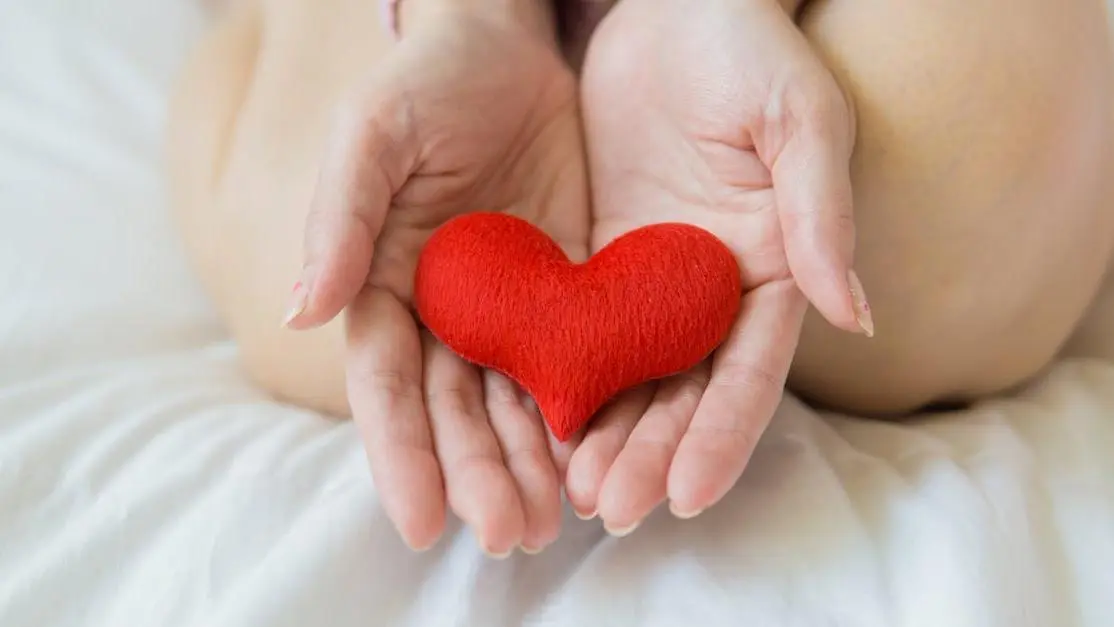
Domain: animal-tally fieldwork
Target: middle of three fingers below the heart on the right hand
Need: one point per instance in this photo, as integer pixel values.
(637, 483)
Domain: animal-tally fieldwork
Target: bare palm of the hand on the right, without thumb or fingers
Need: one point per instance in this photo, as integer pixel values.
(663, 151)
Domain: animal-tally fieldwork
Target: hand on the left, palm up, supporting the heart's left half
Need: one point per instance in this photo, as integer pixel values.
(474, 110)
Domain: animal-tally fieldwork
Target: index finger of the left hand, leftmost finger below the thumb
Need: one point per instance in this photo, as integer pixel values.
(385, 391)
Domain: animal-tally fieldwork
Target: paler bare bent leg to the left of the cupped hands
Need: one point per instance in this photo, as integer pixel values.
(248, 128)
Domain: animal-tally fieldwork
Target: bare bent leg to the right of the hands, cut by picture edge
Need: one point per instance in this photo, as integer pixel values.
(982, 193)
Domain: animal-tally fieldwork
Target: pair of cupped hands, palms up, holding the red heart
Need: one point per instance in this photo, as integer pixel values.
(716, 114)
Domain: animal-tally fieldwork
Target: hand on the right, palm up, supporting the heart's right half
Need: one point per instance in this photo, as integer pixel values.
(717, 114)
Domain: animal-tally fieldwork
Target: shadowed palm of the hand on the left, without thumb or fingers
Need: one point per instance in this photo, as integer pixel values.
(504, 141)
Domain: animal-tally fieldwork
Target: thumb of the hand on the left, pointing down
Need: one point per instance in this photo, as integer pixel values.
(372, 153)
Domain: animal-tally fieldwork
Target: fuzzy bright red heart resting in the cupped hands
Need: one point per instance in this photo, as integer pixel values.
(502, 295)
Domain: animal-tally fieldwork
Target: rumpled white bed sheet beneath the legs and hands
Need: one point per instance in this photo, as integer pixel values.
(144, 483)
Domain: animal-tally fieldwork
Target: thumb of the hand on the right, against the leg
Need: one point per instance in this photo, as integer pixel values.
(813, 184)
